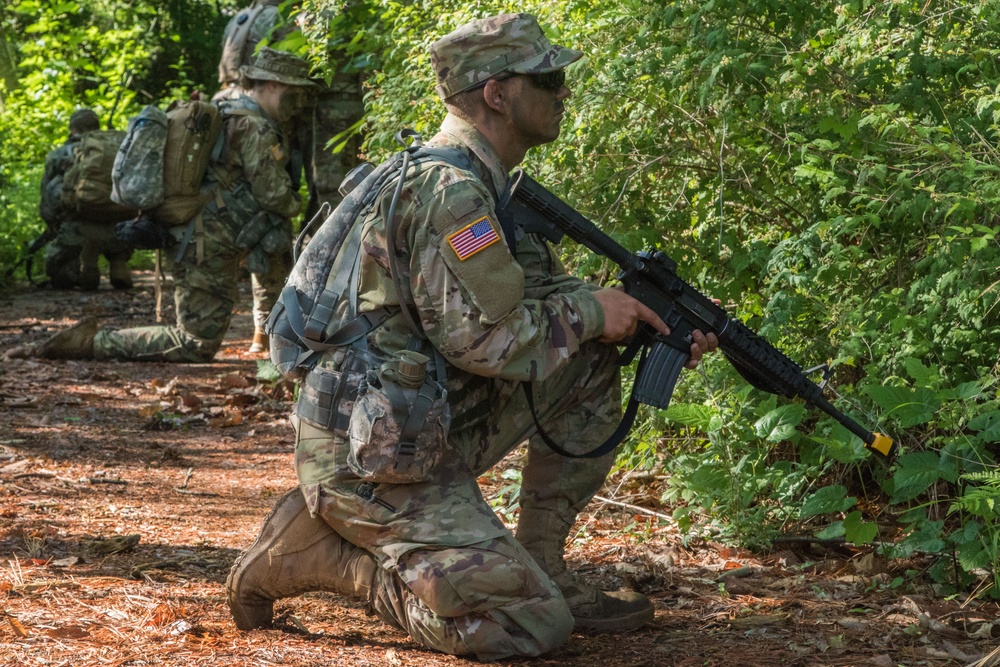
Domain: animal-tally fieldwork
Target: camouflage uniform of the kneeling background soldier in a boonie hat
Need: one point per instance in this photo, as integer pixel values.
(252, 178)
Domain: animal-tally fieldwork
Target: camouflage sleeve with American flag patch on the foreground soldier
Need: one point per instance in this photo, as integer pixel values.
(471, 292)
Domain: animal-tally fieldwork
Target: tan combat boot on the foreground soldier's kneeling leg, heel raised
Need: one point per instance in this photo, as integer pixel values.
(294, 554)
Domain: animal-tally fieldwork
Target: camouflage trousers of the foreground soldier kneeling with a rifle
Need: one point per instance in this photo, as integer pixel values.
(467, 586)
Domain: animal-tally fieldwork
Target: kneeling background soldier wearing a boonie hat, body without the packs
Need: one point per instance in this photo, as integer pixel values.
(248, 218)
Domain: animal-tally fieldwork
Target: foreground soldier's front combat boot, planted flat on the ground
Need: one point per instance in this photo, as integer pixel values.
(543, 534)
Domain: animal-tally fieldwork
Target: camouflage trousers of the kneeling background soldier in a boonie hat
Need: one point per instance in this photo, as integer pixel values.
(204, 297)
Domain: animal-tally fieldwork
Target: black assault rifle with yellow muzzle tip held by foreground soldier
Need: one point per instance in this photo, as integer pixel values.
(651, 277)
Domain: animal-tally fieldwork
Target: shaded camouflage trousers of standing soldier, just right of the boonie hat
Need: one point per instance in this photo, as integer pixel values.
(337, 108)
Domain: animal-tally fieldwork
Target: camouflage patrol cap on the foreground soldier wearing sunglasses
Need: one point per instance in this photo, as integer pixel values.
(486, 47)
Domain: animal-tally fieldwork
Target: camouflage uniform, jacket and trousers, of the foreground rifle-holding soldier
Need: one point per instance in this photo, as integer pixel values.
(453, 576)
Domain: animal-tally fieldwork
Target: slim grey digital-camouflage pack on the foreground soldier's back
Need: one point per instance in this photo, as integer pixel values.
(315, 313)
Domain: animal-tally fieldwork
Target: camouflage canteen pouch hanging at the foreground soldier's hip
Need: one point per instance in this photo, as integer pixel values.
(398, 434)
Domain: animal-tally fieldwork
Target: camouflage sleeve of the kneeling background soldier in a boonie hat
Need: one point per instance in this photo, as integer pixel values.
(264, 156)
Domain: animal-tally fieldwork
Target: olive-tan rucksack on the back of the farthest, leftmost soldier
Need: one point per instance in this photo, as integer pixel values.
(87, 184)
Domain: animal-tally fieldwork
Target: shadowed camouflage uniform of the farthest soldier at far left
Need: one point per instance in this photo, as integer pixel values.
(71, 256)
